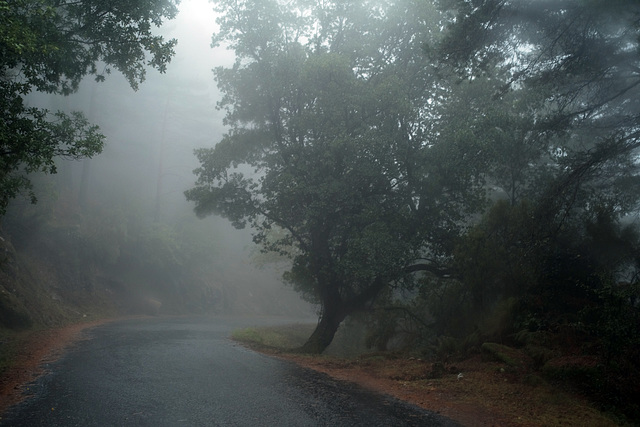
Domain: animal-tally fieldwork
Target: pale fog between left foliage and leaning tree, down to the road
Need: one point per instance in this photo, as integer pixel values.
(139, 179)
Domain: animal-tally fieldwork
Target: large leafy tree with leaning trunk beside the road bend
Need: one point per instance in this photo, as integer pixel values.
(331, 108)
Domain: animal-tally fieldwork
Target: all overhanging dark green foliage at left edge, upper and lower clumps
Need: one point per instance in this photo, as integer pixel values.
(49, 46)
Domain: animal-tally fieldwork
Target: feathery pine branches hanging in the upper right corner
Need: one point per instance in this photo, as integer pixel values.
(569, 71)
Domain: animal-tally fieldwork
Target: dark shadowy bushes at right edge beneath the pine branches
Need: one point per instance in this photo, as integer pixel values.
(512, 277)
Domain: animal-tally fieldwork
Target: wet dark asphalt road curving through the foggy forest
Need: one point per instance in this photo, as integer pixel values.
(186, 372)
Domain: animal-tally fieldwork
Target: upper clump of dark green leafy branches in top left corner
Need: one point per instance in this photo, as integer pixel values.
(54, 45)
